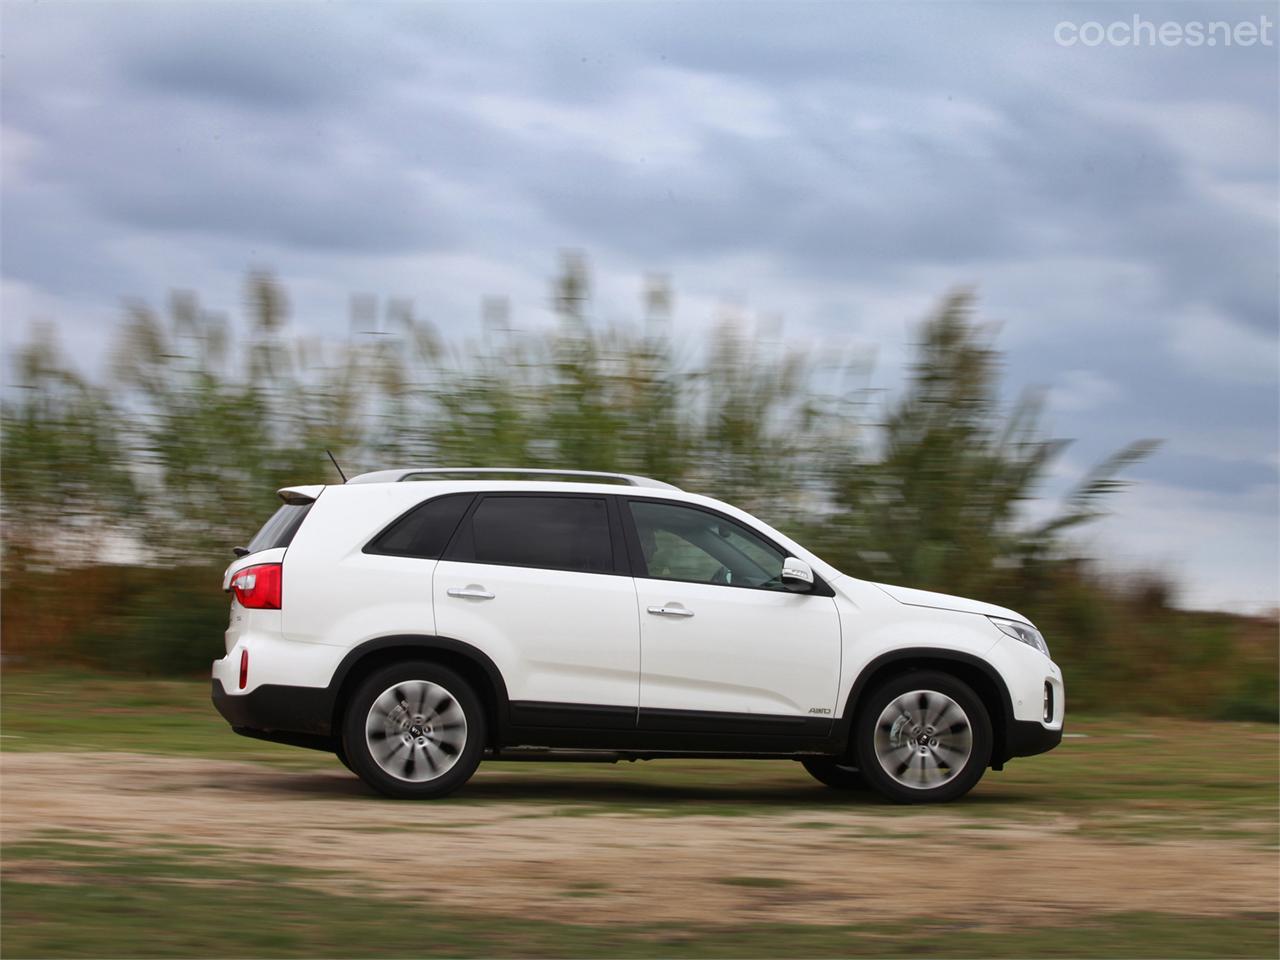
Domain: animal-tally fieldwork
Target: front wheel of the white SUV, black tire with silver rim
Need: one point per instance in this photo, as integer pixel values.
(903, 751)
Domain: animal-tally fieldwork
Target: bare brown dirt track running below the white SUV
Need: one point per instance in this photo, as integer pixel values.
(528, 858)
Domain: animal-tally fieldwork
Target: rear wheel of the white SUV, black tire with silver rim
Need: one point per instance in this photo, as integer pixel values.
(414, 732)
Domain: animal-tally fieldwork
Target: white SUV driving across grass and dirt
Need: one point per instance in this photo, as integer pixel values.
(414, 629)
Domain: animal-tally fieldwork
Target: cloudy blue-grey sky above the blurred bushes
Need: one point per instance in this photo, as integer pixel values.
(839, 166)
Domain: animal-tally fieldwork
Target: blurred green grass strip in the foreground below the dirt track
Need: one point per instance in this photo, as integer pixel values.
(102, 902)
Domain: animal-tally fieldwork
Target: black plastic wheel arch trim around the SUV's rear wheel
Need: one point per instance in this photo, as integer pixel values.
(474, 665)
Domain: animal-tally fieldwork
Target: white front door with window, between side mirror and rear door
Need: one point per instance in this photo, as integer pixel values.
(725, 646)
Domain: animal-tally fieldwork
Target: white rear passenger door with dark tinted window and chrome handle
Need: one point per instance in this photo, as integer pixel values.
(541, 583)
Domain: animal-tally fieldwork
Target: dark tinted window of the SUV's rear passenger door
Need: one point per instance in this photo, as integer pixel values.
(555, 533)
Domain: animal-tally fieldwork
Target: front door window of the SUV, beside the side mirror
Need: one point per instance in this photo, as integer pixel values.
(682, 543)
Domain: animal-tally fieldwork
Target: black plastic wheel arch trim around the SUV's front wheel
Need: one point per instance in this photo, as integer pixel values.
(980, 675)
